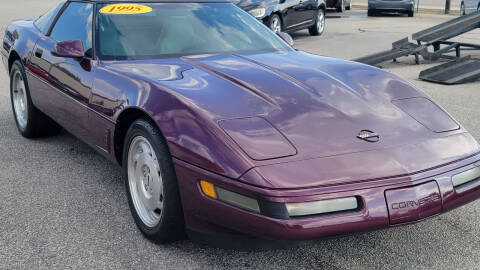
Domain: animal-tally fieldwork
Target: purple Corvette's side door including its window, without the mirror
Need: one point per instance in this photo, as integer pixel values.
(66, 82)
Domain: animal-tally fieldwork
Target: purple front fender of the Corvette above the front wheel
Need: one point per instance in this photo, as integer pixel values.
(191, 133)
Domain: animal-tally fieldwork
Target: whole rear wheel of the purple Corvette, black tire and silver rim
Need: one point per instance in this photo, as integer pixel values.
(31, 122)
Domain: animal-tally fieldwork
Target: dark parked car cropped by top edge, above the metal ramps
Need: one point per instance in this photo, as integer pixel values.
(398, 6)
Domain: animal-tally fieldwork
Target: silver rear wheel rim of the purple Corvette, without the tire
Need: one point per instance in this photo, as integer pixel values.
(20, 103)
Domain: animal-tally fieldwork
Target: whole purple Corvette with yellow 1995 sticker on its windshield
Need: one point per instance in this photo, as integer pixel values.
(220, 127)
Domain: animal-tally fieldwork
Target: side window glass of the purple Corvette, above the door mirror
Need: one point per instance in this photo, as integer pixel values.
(75, 23)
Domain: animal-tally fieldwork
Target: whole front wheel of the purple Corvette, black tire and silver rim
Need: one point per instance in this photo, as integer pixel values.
(156, 207)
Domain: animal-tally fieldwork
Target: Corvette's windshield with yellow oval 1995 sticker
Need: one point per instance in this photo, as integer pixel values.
(161, 30)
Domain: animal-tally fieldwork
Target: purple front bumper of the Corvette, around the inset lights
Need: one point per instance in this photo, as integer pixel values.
(206, 215)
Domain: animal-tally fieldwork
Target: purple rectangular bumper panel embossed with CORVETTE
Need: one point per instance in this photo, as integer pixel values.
(413, 203)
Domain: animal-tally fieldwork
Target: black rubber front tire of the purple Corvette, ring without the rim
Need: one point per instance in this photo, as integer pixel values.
(171, 197)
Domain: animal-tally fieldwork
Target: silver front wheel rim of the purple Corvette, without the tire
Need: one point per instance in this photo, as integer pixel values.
(145, 181)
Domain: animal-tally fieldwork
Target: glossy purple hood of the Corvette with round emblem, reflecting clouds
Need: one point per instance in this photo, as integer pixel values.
(318, 105)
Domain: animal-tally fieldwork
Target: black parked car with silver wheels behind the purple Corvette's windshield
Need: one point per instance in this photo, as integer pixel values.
(288, 15)
